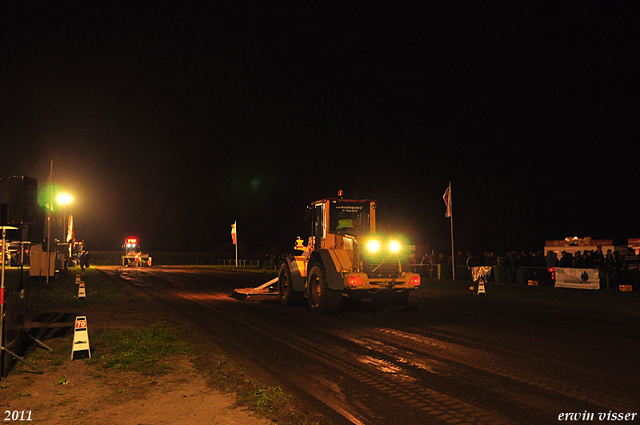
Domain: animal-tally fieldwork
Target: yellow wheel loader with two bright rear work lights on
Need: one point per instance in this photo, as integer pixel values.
(346, 258)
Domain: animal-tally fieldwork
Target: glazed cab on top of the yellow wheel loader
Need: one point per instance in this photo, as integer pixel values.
(334, 219)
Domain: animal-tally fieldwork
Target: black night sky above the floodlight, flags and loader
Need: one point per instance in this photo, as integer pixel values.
(171, 121)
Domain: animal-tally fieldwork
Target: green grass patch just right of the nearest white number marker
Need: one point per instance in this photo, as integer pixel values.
(147, 350)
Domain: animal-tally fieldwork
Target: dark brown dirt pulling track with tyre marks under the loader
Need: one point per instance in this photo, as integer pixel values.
(449, 360)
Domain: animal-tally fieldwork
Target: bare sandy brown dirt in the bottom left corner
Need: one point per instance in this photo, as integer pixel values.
(77, 393)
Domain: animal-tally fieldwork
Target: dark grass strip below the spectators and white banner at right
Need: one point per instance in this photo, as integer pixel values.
(604, 301)
